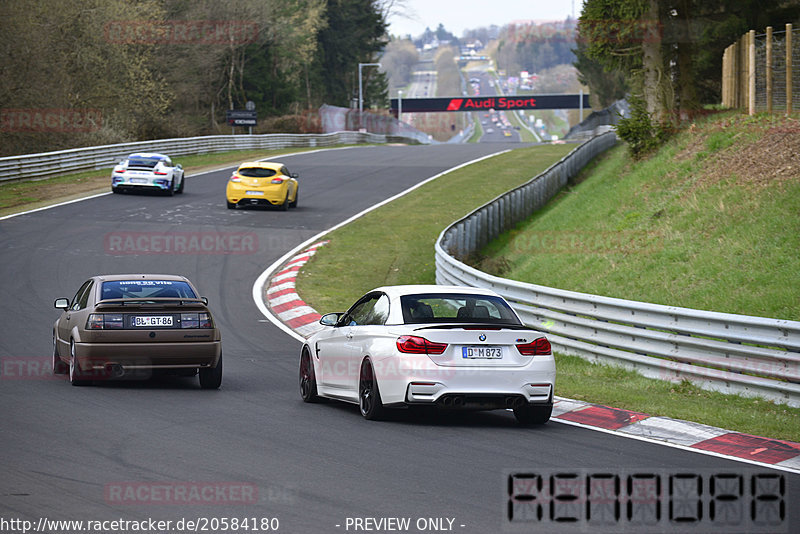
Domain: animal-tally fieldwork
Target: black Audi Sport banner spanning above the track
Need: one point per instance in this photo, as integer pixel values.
(479, 103)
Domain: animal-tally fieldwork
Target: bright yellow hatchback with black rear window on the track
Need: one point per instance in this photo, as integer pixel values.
(262, 183)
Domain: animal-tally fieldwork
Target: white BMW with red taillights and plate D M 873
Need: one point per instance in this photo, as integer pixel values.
(426, 345)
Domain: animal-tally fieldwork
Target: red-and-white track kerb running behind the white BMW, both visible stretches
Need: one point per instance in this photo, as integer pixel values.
(283, 301)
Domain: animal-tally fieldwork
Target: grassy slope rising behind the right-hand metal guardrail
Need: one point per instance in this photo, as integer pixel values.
(712, 221)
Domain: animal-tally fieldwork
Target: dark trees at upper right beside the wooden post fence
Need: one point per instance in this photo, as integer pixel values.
(668, 53)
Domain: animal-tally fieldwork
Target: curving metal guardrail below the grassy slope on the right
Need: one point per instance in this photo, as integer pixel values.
(752, 356)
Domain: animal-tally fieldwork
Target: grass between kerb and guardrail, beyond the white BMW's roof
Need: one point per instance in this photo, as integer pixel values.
(394, 244)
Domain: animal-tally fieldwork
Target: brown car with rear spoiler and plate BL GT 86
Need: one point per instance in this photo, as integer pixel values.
(122, 325)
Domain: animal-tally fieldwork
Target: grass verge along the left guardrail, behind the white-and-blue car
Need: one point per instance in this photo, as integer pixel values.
(17, 196)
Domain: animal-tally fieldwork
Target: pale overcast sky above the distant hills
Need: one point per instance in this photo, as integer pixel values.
(460, 15)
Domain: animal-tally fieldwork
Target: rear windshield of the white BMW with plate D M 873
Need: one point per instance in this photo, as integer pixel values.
(456, 308)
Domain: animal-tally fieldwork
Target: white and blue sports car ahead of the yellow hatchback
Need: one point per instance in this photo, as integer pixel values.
(154, 172)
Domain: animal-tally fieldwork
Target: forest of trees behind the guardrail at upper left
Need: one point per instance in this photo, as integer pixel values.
(170, 68)
